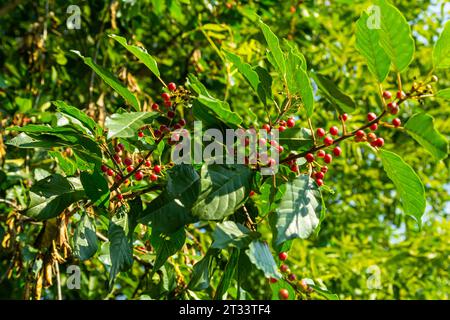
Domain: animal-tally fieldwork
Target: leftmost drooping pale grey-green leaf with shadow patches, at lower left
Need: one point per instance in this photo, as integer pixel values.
(85, 239)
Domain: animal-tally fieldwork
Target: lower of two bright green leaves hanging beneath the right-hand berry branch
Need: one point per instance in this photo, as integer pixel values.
(408, 184)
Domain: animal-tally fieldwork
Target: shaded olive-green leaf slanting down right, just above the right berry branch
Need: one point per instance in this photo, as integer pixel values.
(336, 97)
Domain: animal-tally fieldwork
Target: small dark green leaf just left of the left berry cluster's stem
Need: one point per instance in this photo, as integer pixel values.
(96, 187)
